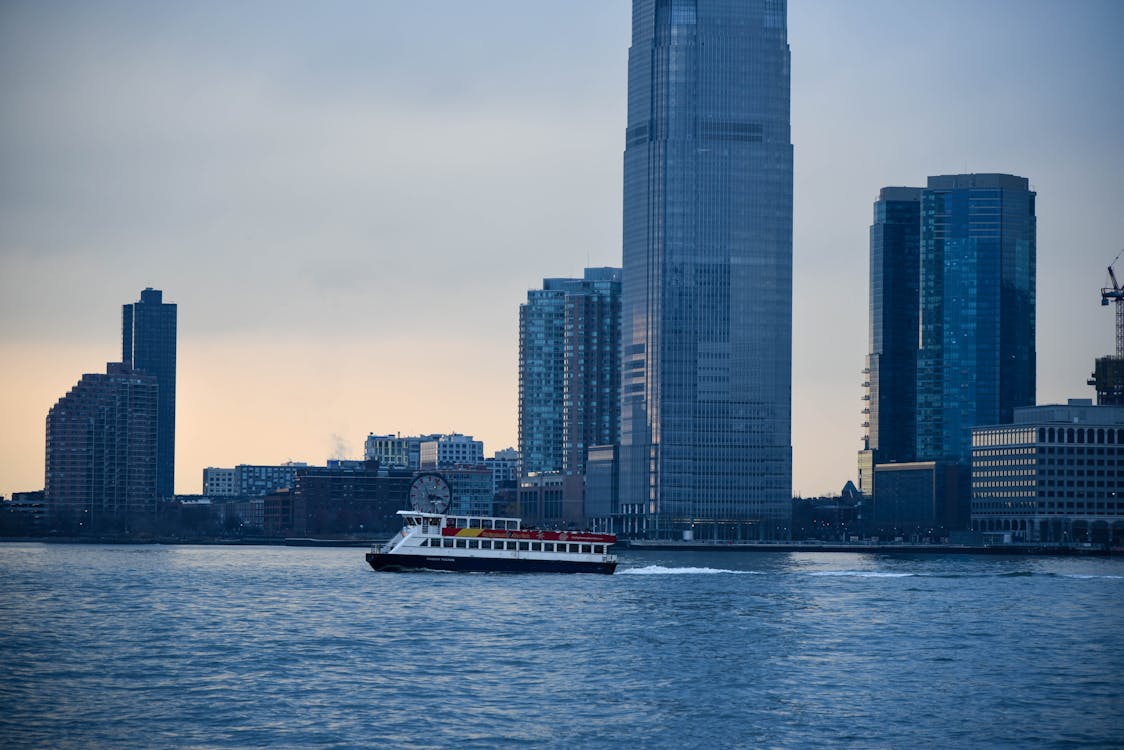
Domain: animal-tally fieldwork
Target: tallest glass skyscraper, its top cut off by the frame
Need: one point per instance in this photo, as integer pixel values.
(708, 293)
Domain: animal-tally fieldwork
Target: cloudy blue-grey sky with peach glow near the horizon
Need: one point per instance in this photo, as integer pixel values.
(349, 200)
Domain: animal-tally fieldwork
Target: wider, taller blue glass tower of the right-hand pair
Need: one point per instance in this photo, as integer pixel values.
(976, 362)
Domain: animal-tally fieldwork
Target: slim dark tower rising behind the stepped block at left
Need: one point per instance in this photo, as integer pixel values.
(149, 345)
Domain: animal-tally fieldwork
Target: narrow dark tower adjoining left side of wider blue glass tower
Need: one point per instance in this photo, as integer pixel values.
(892, 365)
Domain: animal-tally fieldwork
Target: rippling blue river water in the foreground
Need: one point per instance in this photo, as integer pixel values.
(207, 647)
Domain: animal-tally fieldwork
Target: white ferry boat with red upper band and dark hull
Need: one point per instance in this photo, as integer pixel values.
(436, 541)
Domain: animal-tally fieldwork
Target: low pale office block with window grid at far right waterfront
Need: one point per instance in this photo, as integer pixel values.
(1056, 474)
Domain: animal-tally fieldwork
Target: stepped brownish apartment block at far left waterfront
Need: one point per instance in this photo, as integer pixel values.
(102, 451)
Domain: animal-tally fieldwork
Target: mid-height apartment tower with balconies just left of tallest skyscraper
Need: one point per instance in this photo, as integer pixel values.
(569, 371)
